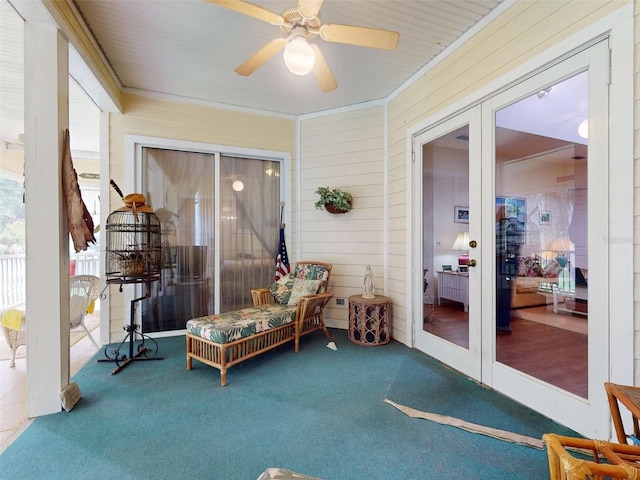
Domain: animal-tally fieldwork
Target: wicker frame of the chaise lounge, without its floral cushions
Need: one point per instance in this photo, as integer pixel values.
(224, 355)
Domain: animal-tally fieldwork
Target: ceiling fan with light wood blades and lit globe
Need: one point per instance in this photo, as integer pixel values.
(302, 24)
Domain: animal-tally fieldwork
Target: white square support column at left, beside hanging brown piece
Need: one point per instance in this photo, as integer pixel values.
(47, 311)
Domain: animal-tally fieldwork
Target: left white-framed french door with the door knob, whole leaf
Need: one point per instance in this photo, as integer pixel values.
(448, 303)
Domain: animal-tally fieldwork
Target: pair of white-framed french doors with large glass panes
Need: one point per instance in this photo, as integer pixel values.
(521, 179)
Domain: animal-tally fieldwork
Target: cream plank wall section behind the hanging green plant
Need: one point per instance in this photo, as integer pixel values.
(344, 150)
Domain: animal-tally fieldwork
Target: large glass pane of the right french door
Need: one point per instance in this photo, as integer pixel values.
(541, 234)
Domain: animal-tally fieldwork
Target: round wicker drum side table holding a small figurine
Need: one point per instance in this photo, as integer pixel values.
(369, 320)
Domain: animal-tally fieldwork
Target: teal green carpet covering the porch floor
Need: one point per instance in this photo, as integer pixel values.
(320, 412)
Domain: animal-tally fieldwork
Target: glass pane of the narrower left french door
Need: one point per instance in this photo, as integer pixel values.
(445, 236)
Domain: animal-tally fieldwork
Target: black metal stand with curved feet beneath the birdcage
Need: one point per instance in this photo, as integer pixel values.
(147, 348)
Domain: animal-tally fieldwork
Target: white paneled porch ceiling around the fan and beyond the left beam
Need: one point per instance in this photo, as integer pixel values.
(187, 50)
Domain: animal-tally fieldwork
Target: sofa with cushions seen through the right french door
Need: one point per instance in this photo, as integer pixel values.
(526, 289)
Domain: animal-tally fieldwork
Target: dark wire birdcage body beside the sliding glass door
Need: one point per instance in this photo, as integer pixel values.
(134, 253)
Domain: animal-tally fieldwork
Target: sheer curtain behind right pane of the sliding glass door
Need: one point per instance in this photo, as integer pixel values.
(249, 228)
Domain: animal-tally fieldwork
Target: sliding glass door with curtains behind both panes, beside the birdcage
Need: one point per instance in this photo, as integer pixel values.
(219, 218)
